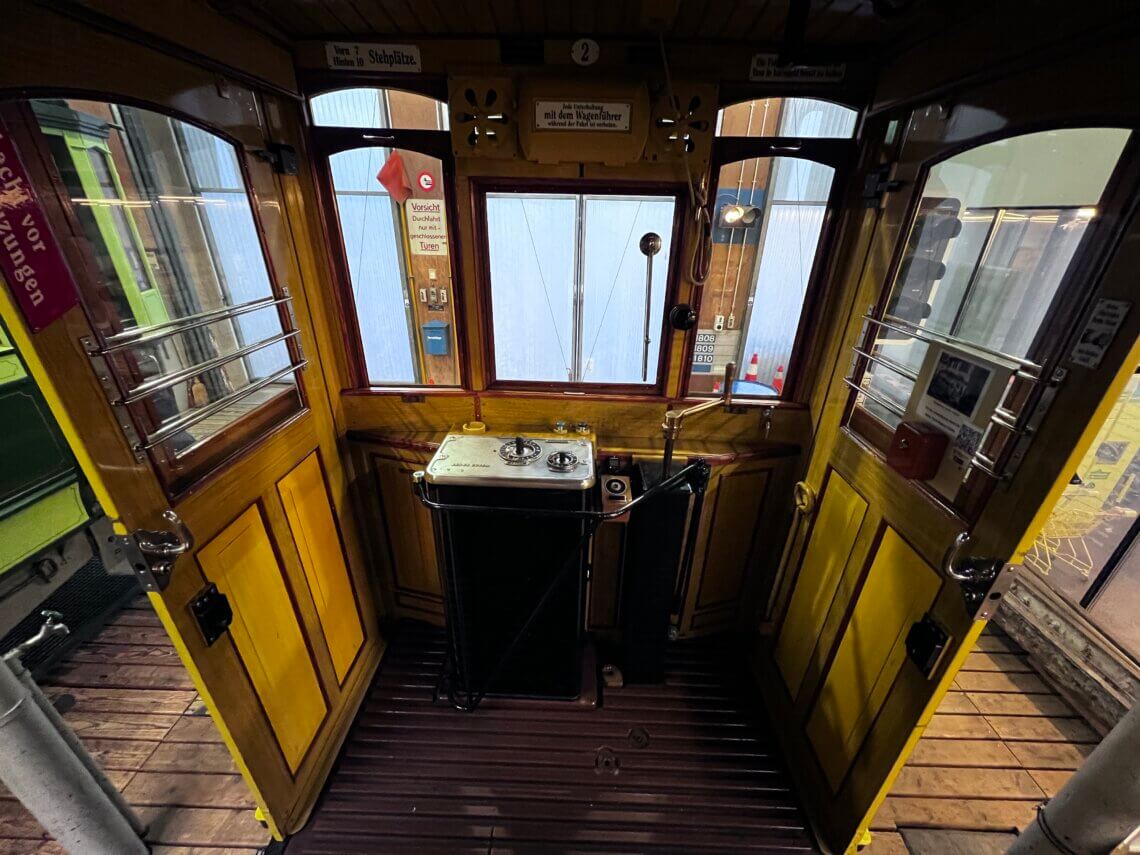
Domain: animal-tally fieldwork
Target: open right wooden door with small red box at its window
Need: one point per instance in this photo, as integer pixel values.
(873, 618)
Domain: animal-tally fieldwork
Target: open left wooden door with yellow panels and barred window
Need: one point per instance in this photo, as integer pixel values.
(222, 418)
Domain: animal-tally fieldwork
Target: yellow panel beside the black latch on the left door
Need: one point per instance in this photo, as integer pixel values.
(241, 561)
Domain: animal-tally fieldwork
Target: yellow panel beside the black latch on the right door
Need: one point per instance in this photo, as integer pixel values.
(900, 589)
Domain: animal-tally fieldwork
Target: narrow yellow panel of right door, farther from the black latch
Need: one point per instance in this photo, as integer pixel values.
(841, 515)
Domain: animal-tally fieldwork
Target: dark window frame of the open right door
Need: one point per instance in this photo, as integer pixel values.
(1052, 341)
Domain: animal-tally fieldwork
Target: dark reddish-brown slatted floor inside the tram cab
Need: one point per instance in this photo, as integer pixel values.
(418, 776)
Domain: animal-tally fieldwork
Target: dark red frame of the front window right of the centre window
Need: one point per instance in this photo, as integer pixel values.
(838, 154)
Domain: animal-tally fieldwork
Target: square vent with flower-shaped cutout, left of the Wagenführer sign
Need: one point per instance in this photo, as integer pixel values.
(484, 118)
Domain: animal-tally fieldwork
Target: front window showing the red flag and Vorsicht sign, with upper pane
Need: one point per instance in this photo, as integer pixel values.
(390, 214)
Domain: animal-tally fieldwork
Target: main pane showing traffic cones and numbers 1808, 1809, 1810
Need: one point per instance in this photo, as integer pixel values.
(768, 219)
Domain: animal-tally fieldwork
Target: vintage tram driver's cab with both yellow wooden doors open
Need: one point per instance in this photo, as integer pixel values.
(609, 426)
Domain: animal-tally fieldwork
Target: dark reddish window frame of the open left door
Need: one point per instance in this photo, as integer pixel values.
(177, 475)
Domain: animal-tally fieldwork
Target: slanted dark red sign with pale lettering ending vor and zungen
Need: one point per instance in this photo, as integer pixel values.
(30, 259)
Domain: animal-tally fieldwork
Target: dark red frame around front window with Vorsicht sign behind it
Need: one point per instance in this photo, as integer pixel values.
(328, 141)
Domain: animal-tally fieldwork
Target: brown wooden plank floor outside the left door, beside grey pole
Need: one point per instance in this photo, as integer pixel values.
(132, 703)
